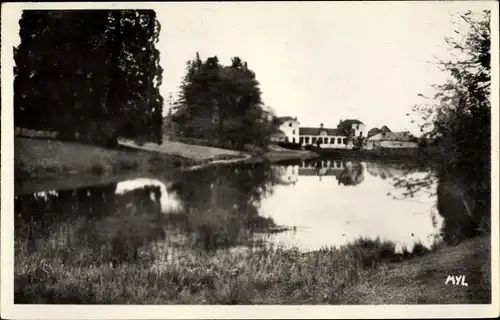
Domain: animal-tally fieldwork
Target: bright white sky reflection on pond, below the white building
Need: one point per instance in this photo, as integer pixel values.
(325, 213)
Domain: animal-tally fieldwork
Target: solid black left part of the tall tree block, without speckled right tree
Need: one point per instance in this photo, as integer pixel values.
(51, 75)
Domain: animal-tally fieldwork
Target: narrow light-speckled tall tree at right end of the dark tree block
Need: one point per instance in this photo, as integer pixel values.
(139, 65)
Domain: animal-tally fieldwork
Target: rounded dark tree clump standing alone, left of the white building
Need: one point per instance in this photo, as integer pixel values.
(223, 104)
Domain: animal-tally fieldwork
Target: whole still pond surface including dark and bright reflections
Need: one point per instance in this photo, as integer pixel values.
(306, 204)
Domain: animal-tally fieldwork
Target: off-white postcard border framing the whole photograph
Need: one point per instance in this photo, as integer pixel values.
(9, 310)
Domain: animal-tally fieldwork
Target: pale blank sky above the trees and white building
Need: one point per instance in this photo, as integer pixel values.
(318, 61)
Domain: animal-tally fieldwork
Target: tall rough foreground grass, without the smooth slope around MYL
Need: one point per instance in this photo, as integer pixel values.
(260, 275)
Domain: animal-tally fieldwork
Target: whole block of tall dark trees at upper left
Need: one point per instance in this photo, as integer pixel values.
(89, 75)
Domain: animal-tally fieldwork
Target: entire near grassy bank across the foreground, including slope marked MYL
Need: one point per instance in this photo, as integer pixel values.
(364, 272)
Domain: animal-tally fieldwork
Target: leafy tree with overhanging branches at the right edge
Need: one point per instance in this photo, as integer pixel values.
(459, 124)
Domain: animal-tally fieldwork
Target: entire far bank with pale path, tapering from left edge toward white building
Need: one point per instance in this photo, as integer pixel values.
(46, 164)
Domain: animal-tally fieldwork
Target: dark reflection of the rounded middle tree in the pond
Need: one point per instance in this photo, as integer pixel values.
(222, 202)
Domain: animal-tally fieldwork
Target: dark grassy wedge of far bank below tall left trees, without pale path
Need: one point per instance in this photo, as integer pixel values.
(43, 163)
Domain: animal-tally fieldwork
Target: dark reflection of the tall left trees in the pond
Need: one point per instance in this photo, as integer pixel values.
(93, 222)
